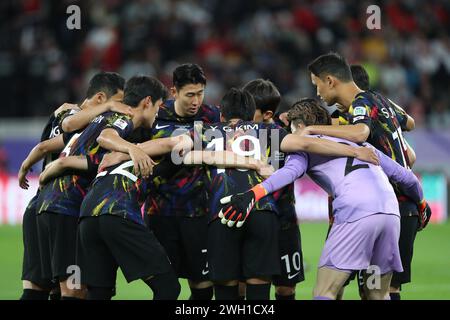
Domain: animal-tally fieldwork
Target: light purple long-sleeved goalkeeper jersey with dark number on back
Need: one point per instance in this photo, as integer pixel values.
(359, 189)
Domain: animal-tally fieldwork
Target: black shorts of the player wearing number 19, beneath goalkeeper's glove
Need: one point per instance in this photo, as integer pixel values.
(251, 251)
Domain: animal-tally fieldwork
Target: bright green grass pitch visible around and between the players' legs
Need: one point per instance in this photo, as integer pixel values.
(431, 266)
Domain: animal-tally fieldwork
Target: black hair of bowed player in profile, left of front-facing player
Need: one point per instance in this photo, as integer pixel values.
(140, 87)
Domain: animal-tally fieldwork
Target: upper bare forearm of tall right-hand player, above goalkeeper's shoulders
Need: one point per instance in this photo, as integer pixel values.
(357, 133)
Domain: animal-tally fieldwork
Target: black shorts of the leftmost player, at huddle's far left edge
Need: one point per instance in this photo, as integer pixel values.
(31, 266)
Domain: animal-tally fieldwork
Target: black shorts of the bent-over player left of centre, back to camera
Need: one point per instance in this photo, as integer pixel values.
(108, 242)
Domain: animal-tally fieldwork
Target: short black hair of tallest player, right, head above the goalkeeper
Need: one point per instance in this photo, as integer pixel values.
(331, 64)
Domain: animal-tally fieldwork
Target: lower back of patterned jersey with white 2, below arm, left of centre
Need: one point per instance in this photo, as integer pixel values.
(117, 191)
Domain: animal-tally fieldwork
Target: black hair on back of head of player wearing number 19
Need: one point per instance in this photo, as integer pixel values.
(238, 104)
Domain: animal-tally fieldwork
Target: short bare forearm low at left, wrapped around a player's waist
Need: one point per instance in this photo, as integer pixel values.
(59, 166)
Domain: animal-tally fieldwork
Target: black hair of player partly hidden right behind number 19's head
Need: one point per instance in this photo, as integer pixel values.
(265, 93)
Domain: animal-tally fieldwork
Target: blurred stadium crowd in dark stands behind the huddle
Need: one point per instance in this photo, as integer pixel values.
(43, 64)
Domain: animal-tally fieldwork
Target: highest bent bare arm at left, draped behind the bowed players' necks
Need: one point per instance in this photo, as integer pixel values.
(81, 119)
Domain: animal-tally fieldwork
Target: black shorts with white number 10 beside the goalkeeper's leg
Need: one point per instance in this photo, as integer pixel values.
(292, 271)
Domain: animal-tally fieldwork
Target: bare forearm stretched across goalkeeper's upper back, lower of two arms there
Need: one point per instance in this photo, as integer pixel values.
(297, 143)
